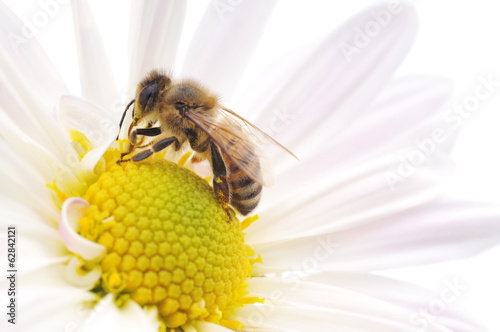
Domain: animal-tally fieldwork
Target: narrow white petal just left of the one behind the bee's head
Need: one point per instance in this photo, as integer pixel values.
(96, 77)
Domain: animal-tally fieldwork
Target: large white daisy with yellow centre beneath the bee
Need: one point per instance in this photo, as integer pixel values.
(107, 247)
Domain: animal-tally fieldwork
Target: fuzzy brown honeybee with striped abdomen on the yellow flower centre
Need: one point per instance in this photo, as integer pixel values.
(184, 112)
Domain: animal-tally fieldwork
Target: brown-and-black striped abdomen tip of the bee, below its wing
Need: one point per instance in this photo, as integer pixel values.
(245, 193)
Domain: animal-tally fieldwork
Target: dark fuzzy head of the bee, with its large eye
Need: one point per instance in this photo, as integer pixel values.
(148, 94)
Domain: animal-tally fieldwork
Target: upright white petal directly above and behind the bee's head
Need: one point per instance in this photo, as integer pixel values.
(155, 30)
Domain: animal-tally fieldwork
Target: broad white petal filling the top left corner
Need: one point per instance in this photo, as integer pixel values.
(30, 81)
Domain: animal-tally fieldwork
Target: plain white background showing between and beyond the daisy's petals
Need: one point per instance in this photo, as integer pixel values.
(457, 39)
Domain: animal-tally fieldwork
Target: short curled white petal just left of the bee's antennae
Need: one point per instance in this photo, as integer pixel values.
(98, 126)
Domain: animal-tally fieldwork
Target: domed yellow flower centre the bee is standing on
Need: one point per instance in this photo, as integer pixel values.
(169, 243)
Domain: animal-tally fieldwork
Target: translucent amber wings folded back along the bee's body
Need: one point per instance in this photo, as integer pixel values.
(241, 142)
